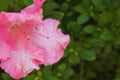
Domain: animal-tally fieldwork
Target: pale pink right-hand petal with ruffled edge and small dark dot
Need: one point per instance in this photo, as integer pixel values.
(52, 40)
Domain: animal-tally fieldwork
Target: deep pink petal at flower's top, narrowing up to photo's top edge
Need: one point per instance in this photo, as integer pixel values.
(34, 11)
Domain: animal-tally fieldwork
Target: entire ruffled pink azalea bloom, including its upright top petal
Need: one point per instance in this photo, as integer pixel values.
(27, 41)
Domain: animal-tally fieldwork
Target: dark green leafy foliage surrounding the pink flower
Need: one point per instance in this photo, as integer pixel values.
(94, 50)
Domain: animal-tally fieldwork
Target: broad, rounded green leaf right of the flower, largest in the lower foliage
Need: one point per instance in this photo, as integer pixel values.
(88, 55)
